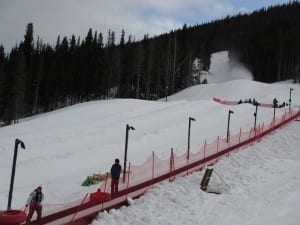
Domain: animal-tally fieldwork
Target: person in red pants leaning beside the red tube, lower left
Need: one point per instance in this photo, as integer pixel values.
(35, 204)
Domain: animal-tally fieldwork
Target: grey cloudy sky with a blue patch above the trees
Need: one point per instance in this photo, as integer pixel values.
(51, 18)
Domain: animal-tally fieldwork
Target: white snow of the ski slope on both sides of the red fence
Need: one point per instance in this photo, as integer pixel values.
(259, 185)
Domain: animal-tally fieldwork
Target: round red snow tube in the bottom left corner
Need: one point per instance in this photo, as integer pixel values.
(12, 217)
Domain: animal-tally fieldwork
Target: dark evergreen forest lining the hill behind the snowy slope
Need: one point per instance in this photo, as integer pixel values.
(36, 77)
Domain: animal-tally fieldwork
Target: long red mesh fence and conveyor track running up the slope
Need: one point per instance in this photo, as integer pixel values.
(140, 178)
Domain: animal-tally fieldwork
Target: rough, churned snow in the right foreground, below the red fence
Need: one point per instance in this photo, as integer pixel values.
(259, 185)
